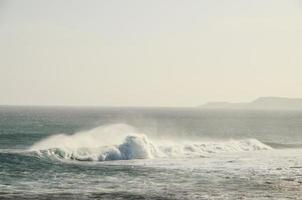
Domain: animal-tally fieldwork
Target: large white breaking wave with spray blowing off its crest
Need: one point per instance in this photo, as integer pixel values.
(122, 142)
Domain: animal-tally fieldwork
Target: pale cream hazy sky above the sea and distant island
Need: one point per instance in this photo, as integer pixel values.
(148, 53)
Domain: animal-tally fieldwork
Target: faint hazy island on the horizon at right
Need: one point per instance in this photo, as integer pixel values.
(262, 103)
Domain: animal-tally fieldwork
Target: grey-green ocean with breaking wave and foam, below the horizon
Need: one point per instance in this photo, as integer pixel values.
(149, 153)
